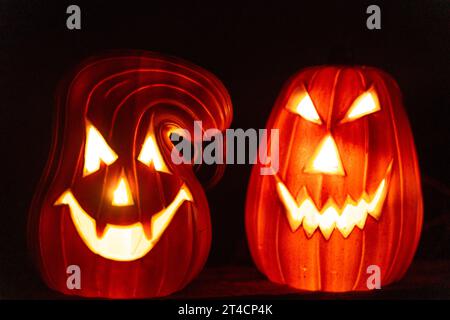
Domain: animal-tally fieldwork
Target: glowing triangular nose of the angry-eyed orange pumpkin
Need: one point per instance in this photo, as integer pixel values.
(326, 159)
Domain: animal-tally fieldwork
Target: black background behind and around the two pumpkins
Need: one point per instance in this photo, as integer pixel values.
(253, 47)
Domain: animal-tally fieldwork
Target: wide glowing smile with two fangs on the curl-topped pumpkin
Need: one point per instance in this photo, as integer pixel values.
(122, 242)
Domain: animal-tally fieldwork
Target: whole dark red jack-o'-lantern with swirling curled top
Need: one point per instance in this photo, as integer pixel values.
(111, 200)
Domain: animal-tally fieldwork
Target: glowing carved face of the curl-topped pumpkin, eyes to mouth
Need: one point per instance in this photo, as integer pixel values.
(101, 199)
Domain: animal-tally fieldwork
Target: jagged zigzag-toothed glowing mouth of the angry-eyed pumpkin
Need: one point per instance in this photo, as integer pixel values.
(352, 213)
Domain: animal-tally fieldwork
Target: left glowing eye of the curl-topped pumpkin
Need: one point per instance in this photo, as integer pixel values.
(96, 150)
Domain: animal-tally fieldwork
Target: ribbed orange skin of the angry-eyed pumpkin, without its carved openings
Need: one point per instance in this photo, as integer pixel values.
(366, 147)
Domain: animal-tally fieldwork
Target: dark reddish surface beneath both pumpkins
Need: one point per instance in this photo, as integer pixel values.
(424, 280)
